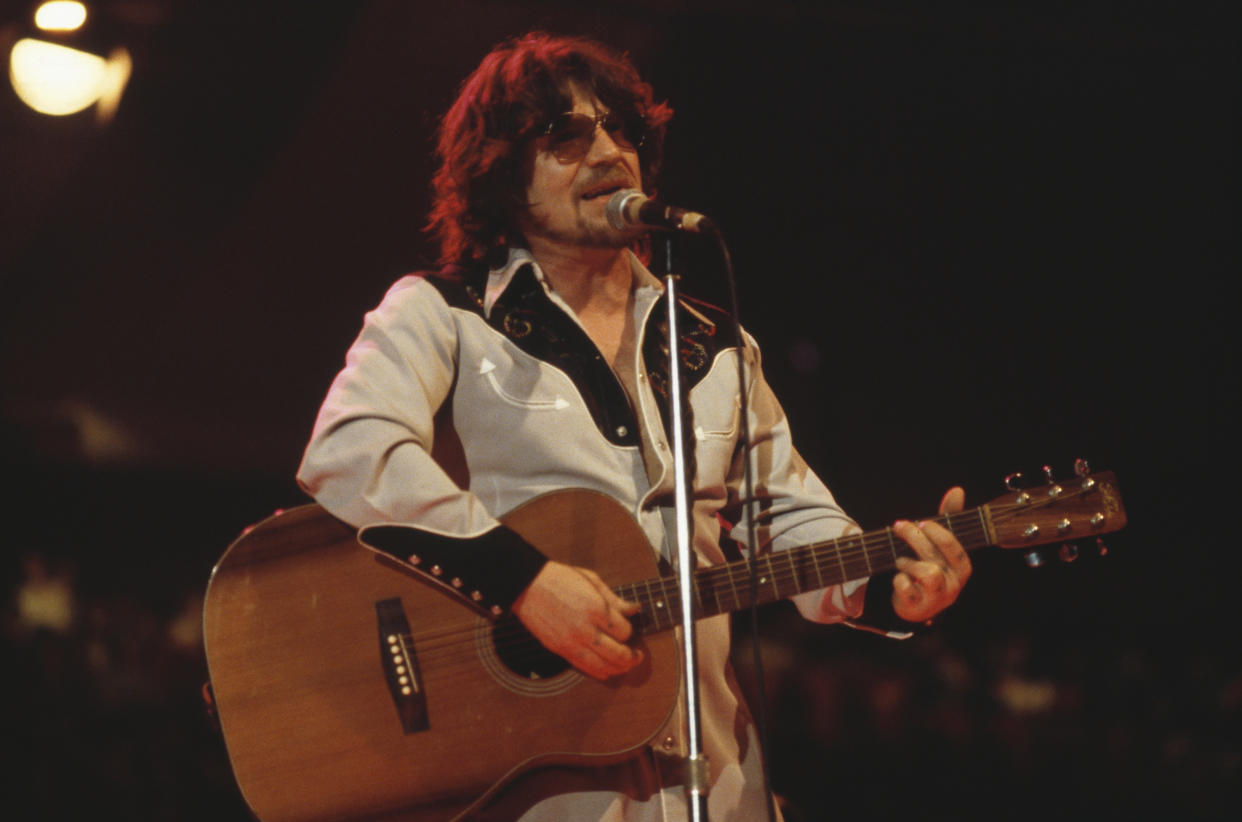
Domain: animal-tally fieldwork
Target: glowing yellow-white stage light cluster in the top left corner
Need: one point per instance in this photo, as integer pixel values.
(55, 76)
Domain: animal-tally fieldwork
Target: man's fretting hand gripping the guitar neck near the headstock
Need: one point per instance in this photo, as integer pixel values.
(927, 585)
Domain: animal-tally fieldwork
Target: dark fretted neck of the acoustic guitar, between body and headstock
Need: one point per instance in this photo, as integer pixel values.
(723, 589)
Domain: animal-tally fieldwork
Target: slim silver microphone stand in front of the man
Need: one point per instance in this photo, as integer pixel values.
(696, 762)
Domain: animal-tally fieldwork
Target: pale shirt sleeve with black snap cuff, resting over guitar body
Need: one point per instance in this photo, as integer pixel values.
(371, 464)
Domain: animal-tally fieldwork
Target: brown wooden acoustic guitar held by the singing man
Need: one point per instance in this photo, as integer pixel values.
(351, 687)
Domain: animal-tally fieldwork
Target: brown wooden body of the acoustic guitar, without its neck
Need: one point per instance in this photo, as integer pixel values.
(314, 725)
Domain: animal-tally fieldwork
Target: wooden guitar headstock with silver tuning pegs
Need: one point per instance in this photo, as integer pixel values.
(1059, 512)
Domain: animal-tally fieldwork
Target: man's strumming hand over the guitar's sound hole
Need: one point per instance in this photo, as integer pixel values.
(576, 615)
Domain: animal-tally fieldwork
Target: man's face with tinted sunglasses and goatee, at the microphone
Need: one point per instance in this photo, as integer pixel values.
(569, 191)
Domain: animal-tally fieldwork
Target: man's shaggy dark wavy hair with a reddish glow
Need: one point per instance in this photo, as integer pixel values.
(480, 188)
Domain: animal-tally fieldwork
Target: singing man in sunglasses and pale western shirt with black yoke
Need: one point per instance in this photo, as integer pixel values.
(536, 361)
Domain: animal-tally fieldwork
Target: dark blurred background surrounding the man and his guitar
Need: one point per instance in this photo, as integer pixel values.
(973, 239)
